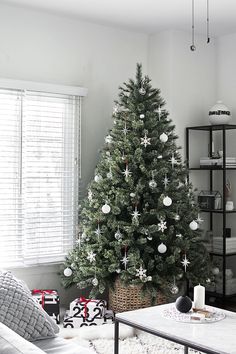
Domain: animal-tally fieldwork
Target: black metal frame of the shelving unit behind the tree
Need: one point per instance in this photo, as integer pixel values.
(210, 129)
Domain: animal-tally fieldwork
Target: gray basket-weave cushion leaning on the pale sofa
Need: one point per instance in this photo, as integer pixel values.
(21, 313)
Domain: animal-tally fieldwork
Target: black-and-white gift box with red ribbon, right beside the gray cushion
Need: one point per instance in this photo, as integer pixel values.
(50, 302)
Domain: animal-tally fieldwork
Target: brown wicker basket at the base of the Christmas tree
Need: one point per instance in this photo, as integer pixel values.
(126, 298)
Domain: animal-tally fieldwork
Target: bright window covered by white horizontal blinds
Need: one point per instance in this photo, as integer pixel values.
(39, 173)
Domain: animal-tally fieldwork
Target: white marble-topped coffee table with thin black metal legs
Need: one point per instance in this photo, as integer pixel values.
(213, 338)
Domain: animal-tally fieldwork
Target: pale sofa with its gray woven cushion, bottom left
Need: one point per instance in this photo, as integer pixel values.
(25, 328)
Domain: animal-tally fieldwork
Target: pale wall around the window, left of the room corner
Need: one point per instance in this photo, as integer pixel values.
(40, 47)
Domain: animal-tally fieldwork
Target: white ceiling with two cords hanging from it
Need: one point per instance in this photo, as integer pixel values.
(147, 16)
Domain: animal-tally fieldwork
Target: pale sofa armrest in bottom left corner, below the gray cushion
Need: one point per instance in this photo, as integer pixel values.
(13, 343)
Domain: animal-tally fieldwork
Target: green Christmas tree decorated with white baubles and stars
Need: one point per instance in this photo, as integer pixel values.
(139, 221)
